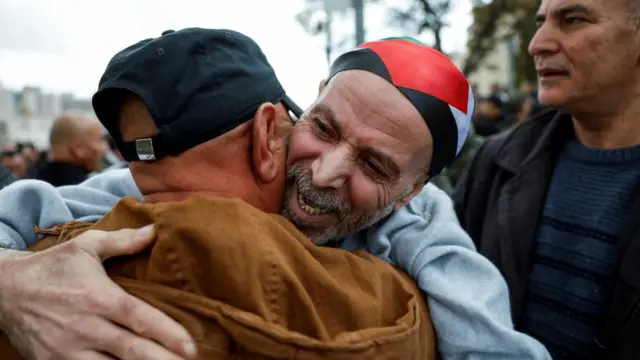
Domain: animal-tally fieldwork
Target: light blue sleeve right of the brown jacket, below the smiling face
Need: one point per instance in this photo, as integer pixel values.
(467, 296)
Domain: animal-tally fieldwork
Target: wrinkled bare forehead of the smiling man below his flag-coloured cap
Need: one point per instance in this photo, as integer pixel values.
(370, 113)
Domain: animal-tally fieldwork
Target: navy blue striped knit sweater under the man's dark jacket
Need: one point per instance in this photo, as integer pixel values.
(574, 254)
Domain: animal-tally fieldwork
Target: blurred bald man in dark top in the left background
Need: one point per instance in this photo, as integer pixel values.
(77, 146)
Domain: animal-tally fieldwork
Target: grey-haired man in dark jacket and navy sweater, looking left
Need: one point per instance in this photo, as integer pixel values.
(555, 202)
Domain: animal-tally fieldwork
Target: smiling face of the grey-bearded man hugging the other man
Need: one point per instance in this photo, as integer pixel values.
(359, 152)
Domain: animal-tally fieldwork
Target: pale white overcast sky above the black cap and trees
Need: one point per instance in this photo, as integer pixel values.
(64, 45)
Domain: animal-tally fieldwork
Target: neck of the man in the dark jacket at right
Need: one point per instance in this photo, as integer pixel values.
(617, 129)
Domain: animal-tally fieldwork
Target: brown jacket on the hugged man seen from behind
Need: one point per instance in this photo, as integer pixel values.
(249, 285)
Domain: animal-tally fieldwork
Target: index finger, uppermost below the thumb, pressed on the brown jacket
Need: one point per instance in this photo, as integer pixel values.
(150, 323)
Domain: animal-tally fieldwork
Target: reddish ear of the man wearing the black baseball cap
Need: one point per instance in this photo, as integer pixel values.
(265, 159)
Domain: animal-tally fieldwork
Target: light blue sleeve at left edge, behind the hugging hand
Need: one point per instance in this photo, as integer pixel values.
(26, 203)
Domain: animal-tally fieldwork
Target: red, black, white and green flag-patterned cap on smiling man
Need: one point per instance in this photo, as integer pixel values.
(429, 79)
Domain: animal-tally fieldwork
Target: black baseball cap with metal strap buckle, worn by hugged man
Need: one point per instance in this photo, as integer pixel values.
(196, 83)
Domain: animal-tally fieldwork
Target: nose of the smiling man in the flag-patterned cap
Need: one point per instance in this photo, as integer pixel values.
(333, 168)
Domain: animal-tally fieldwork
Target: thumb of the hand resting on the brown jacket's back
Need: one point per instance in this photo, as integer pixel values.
(108, 244)
